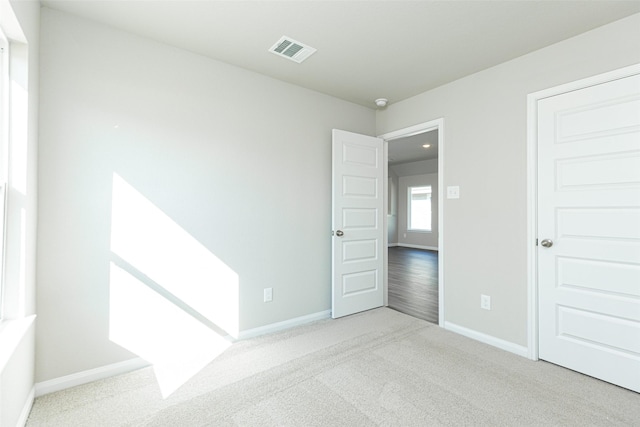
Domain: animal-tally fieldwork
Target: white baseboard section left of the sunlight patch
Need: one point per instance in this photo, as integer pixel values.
(88, 376)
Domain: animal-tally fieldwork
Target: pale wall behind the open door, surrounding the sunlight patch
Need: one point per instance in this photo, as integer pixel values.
(238, 161)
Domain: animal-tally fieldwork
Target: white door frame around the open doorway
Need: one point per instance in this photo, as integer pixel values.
(437, 124)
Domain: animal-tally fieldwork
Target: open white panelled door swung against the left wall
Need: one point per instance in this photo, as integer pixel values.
(358, 223)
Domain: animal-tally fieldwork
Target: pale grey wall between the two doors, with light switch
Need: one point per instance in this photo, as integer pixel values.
(485, 154)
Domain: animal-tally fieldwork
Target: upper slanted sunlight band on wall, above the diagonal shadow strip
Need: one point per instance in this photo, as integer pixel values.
(151, 242)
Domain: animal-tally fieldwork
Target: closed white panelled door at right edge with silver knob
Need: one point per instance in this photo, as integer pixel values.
(589, 230)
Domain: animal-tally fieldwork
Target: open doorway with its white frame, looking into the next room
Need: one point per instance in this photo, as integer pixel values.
(402, 233)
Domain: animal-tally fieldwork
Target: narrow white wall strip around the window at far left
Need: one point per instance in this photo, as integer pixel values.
(20, 20)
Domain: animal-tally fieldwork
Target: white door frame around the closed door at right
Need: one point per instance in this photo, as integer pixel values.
(532, 188)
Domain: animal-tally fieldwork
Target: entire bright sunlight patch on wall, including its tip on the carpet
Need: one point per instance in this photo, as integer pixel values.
(172, 302)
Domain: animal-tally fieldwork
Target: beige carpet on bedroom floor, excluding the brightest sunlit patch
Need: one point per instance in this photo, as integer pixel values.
(375, 368)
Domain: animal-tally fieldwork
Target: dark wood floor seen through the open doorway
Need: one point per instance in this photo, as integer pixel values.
(413, 282)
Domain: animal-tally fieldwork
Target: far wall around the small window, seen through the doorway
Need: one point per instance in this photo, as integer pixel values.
(406, 237)
